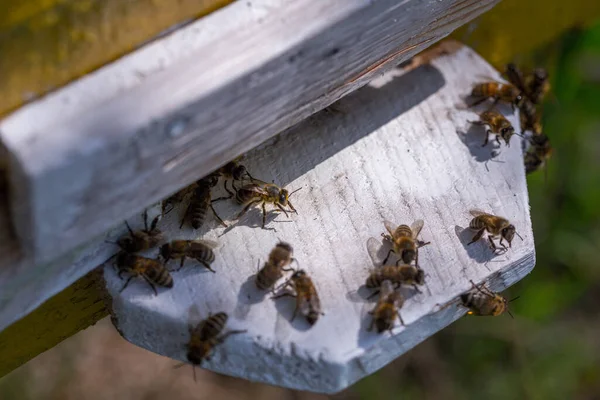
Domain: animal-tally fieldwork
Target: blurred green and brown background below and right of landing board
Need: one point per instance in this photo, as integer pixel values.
(551, 350)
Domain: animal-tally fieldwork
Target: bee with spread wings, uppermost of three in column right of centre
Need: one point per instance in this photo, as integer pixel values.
(404, 241)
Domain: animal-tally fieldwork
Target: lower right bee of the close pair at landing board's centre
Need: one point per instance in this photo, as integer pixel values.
(307, 299)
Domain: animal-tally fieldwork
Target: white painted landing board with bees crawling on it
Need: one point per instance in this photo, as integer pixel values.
(398, 149)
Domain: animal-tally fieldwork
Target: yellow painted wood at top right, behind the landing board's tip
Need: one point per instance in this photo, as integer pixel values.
(516, 27)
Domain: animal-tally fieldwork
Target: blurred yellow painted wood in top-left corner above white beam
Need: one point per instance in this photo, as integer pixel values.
(47, 43)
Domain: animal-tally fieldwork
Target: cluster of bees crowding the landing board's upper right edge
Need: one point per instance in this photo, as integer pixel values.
(526, 92)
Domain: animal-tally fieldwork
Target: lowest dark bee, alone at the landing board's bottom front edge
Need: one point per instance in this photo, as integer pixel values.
(205, 336)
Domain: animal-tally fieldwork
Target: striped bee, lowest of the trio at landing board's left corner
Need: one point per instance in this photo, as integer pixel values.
(153, 271)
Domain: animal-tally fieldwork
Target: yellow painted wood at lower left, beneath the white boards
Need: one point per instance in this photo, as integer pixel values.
(74, 309)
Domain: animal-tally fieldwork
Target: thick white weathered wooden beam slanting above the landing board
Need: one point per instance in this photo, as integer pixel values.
(79, 165)
